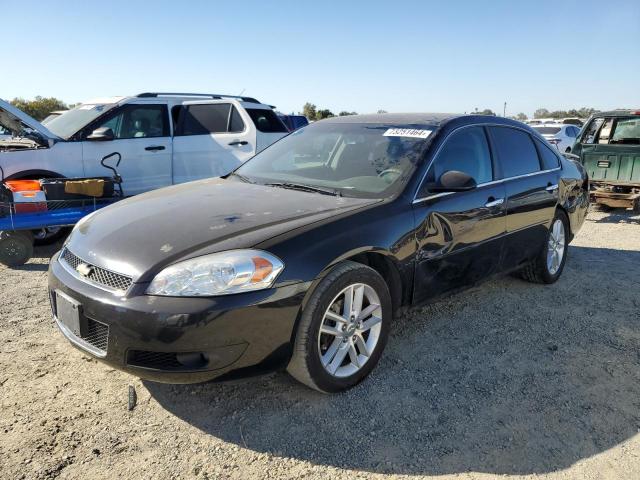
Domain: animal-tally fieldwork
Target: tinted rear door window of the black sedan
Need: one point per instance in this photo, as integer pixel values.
(515, 150)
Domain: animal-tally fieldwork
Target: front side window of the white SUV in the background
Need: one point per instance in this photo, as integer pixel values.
(139, 121)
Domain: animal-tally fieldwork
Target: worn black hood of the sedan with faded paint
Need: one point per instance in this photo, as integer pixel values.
(140, 235)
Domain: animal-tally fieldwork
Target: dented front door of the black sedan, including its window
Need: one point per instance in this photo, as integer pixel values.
(459, 234)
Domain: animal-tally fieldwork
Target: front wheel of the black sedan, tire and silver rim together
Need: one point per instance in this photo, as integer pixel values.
(343, 329)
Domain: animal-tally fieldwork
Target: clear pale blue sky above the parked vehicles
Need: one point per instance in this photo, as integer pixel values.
(363, 56)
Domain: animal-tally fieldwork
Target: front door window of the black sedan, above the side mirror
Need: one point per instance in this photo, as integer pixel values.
(467, 151)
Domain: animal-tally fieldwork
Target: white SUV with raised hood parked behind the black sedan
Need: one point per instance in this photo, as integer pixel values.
(164, 138)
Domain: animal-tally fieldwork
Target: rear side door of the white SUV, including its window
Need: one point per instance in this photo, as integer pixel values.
(211, 139)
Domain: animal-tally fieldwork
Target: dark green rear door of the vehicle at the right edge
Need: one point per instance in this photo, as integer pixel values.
(611, 150)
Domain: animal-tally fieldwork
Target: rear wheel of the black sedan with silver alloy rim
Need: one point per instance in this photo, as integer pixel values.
(548, 265)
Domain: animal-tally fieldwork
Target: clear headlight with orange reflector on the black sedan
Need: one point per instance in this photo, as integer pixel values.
(234, 271)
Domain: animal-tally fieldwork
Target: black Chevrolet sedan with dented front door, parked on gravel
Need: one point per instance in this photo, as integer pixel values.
(304, 255)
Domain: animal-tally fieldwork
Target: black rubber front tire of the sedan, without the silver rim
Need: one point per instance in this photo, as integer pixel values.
(305, 365)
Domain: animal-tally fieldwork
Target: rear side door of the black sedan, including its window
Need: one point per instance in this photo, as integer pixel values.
(531, 185)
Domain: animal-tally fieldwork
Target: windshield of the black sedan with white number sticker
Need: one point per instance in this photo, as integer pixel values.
(360, 160)
